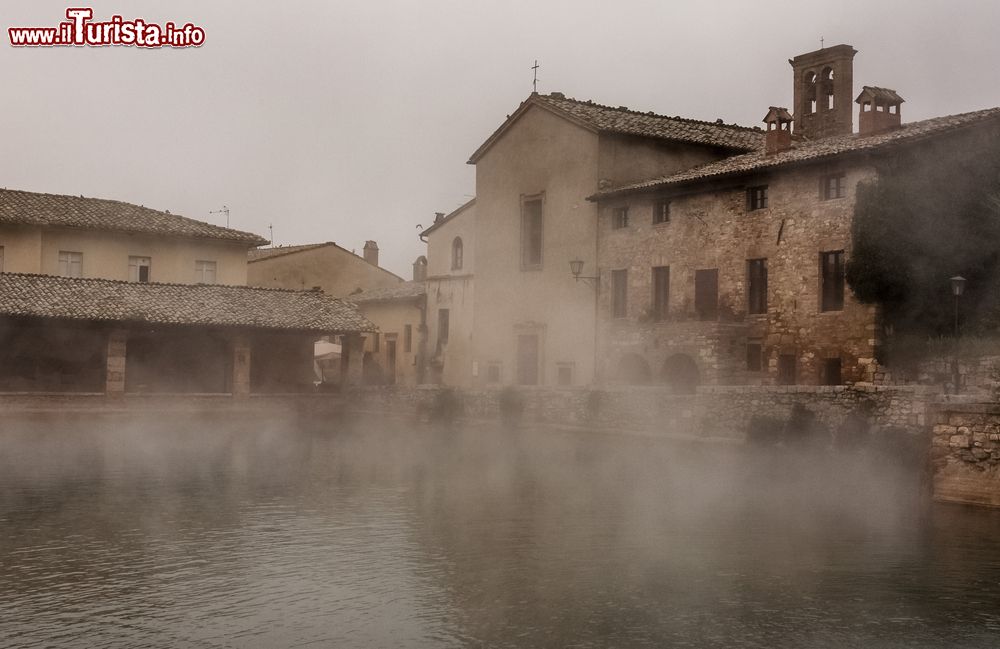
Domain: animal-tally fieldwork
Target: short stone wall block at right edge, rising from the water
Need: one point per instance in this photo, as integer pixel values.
(965, 454)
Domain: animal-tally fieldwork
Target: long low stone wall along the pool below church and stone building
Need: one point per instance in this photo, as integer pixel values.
(719, 412)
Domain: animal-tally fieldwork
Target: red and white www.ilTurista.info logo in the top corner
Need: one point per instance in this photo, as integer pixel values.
(79, 30)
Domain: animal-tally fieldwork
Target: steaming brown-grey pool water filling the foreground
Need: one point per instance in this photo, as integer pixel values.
(195, 536)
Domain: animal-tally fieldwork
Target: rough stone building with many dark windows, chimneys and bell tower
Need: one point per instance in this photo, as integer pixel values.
(732, 271)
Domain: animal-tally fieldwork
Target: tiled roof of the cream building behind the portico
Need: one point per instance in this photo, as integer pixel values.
(101, 214)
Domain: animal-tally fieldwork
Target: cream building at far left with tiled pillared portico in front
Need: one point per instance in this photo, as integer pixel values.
(101, 296)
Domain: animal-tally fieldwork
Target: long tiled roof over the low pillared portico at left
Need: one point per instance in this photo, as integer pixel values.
(46, 296)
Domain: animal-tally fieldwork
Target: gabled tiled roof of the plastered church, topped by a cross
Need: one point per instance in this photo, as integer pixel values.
(607, 119)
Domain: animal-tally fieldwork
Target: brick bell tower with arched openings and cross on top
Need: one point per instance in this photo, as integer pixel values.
(823, 92)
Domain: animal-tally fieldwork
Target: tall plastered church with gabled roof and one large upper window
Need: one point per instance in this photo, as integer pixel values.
(531, 323)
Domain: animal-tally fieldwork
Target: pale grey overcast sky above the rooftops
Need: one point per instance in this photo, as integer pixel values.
(347, 121)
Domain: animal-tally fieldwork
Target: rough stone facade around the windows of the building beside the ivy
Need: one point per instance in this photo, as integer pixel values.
(715, 229)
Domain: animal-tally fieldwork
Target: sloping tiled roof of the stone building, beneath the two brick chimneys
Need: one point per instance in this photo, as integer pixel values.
(805, 151)
